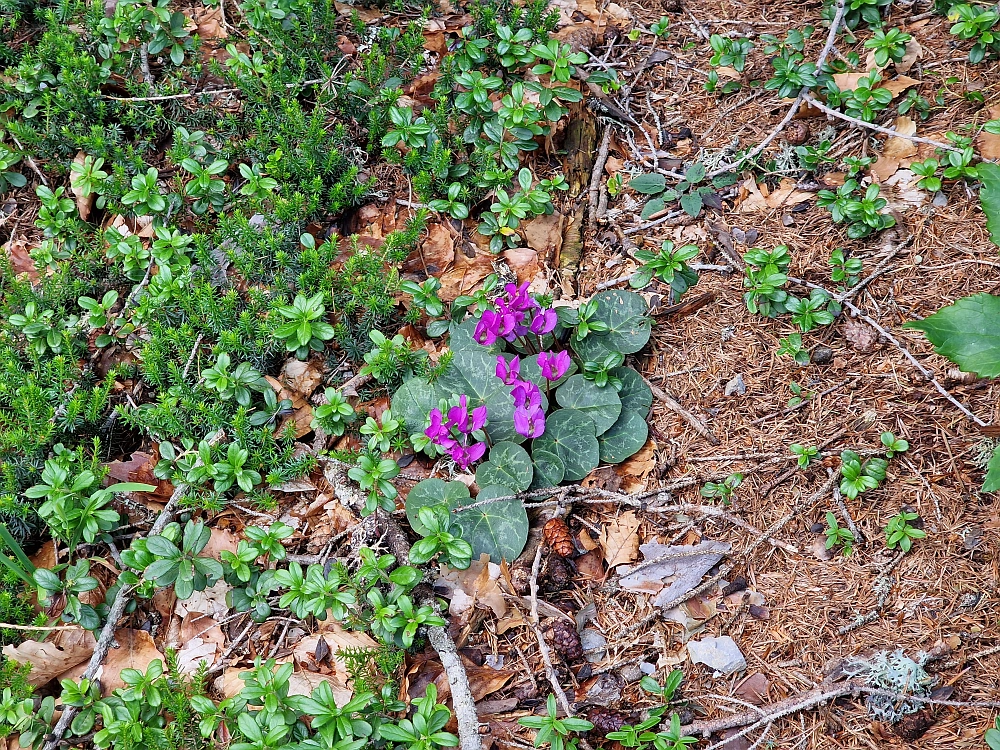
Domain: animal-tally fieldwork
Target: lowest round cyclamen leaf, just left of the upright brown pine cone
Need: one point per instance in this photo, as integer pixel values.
(498, 529)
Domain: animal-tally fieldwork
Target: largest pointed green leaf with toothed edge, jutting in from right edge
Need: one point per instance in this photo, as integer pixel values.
(967, 333)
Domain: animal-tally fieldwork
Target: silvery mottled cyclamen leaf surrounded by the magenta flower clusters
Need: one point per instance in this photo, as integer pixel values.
(473, 372)
